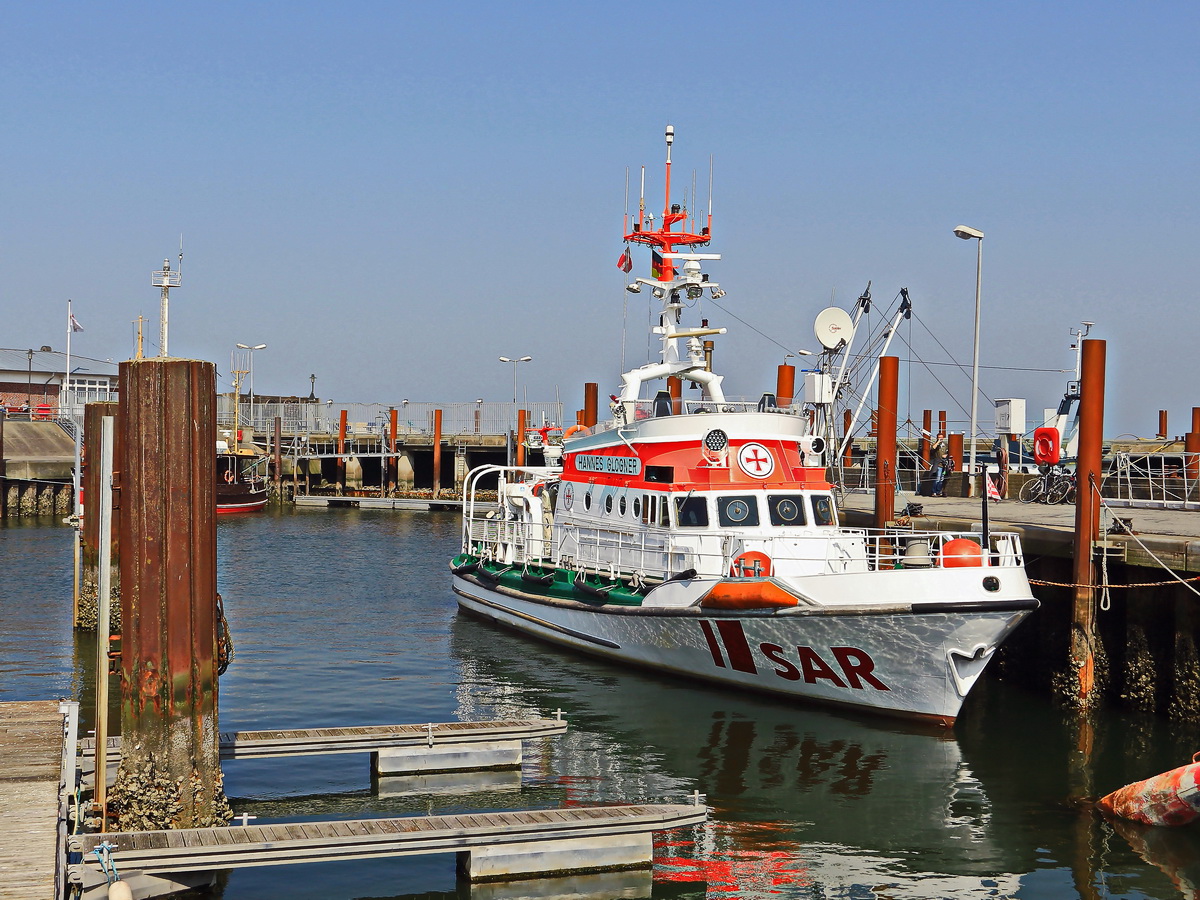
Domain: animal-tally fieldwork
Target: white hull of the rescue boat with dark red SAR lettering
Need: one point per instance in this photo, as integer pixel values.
(887, 658)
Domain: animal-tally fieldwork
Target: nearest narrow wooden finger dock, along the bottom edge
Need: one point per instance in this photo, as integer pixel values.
(490, 845)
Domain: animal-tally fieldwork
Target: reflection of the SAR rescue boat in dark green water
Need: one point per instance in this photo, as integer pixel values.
(801, 797)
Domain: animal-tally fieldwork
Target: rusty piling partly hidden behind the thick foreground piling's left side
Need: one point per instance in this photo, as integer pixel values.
(93, 418)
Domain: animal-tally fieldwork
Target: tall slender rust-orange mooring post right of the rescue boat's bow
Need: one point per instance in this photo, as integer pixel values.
(1088, 518)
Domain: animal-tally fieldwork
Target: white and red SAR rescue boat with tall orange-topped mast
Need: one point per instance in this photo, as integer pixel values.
(701, 537)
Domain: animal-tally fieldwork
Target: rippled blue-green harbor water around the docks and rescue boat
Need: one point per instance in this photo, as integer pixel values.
(346, 617)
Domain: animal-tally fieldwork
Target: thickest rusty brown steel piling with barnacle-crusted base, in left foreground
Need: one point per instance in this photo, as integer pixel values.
(171, 771)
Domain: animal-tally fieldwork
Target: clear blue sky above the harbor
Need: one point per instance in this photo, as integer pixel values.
(392, 195)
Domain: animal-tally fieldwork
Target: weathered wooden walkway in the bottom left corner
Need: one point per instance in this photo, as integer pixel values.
(34, 754)
